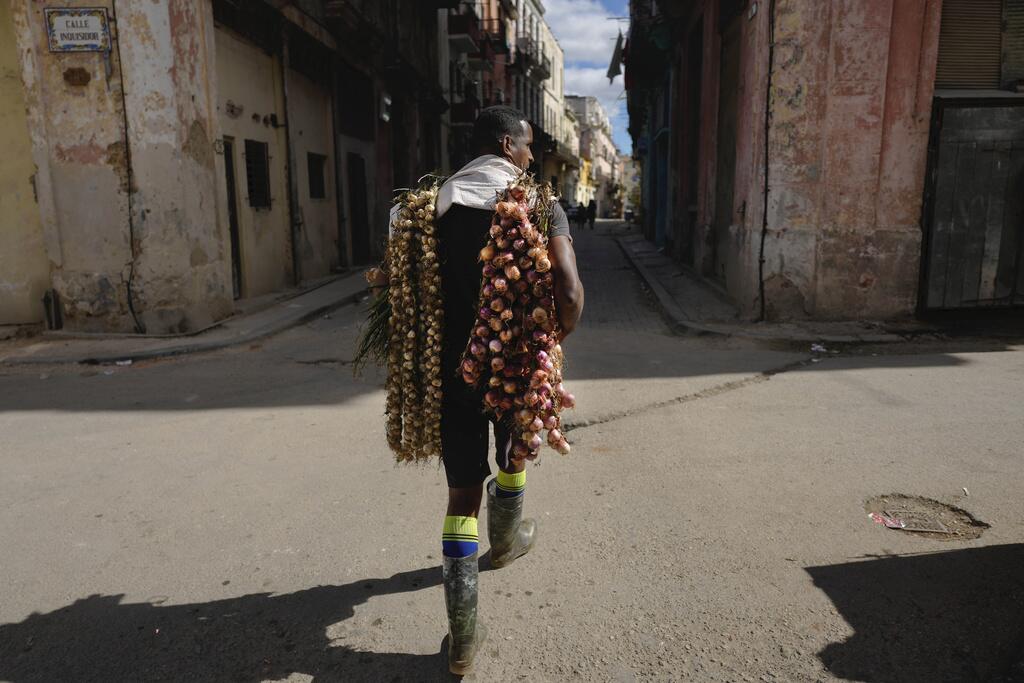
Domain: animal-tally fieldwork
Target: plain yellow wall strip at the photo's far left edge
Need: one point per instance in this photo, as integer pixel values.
(25, 271)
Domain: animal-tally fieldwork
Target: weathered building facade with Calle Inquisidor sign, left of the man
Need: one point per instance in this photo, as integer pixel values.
(202, 151)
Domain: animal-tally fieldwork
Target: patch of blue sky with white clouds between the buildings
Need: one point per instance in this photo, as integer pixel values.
(588, 38)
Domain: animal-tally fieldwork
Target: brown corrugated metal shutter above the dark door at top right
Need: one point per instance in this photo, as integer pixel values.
(970, 45)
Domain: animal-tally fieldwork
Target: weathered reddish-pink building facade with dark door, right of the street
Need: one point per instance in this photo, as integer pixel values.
(834, 115)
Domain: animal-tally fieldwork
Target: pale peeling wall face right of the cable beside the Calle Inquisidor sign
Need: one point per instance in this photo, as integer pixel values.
(183, 269)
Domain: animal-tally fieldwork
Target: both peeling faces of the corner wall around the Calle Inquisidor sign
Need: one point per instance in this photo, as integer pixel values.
(100, 182)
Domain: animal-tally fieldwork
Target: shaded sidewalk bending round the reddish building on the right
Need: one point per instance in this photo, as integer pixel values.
(695, 307)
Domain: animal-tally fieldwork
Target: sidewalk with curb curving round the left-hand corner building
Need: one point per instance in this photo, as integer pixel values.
(255, 321)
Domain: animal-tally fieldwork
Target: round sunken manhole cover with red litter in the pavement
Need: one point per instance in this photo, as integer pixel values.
(923, 517)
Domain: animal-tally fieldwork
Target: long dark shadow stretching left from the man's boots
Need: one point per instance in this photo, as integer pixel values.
(255, 637)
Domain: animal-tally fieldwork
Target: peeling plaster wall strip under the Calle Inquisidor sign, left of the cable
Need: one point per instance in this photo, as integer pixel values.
(78, 145)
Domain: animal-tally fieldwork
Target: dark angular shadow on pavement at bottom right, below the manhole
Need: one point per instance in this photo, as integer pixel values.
(955, 616)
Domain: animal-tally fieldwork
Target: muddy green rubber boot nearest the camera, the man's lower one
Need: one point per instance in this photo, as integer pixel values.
(466, 636)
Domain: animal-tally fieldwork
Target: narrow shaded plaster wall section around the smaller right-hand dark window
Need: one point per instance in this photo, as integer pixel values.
(311, 120)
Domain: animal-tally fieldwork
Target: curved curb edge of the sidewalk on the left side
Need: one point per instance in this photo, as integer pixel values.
(198, 348)
